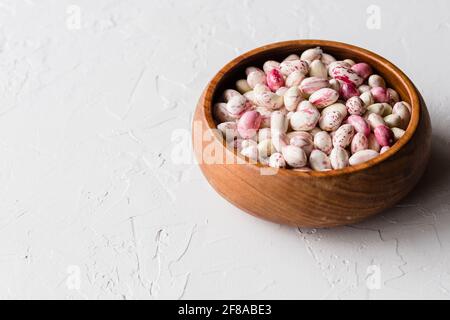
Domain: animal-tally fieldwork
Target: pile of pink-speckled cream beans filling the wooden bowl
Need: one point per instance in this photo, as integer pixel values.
(311, 112)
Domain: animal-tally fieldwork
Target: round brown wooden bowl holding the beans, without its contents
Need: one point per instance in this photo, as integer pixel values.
(314, 199)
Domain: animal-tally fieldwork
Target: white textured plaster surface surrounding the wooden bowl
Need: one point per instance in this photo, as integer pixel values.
(91, 205)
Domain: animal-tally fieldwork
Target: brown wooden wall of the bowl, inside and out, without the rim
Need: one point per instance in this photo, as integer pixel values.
(308, 201)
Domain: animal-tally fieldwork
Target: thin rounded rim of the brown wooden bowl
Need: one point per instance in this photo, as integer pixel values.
(207, 105)
